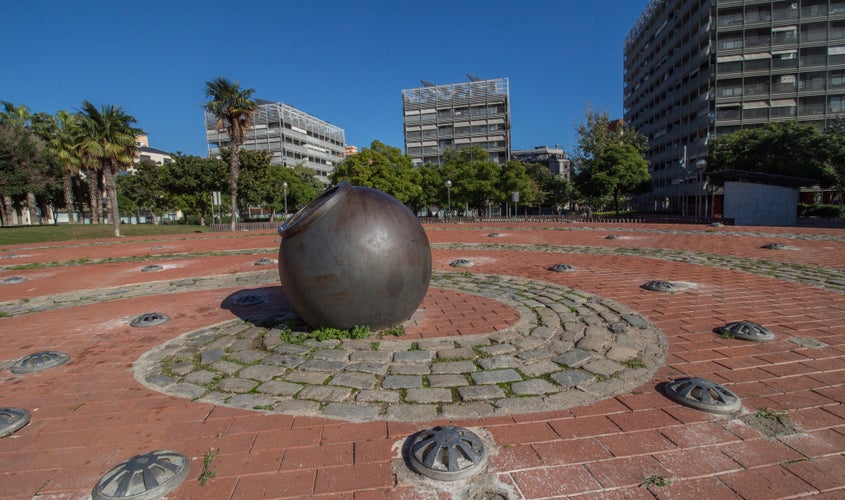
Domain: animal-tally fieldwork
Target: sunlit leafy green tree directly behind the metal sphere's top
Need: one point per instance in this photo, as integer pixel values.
(384, 168)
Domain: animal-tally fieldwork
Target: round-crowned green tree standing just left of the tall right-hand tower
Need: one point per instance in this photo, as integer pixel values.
(618, 170)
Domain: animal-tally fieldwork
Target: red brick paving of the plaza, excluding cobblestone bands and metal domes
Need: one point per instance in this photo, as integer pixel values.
(90, 414)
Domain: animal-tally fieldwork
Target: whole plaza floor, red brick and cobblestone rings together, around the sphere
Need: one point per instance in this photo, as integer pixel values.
(562, 374)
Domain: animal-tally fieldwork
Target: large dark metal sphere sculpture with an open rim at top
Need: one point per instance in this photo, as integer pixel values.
(355, 256)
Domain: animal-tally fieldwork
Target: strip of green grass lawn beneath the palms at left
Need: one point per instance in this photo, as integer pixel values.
(65, 232)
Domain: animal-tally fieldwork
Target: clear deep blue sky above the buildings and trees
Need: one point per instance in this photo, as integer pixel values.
(345, 62)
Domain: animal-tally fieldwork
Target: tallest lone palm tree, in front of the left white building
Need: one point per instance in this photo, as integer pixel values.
(233, 108)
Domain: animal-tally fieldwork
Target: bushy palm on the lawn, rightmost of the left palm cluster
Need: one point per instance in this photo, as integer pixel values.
(108, 136)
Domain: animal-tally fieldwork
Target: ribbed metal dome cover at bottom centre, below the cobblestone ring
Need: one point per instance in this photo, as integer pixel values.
(447, 453)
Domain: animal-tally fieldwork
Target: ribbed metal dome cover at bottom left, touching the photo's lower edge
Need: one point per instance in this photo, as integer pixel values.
(143, 477)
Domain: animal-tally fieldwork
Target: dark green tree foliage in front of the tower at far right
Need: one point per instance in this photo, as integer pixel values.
(780, 148)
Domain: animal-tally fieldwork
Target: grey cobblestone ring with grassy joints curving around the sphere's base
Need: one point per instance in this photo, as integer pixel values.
(567, 348)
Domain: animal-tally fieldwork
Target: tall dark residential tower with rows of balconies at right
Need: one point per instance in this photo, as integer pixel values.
(696, 69)
